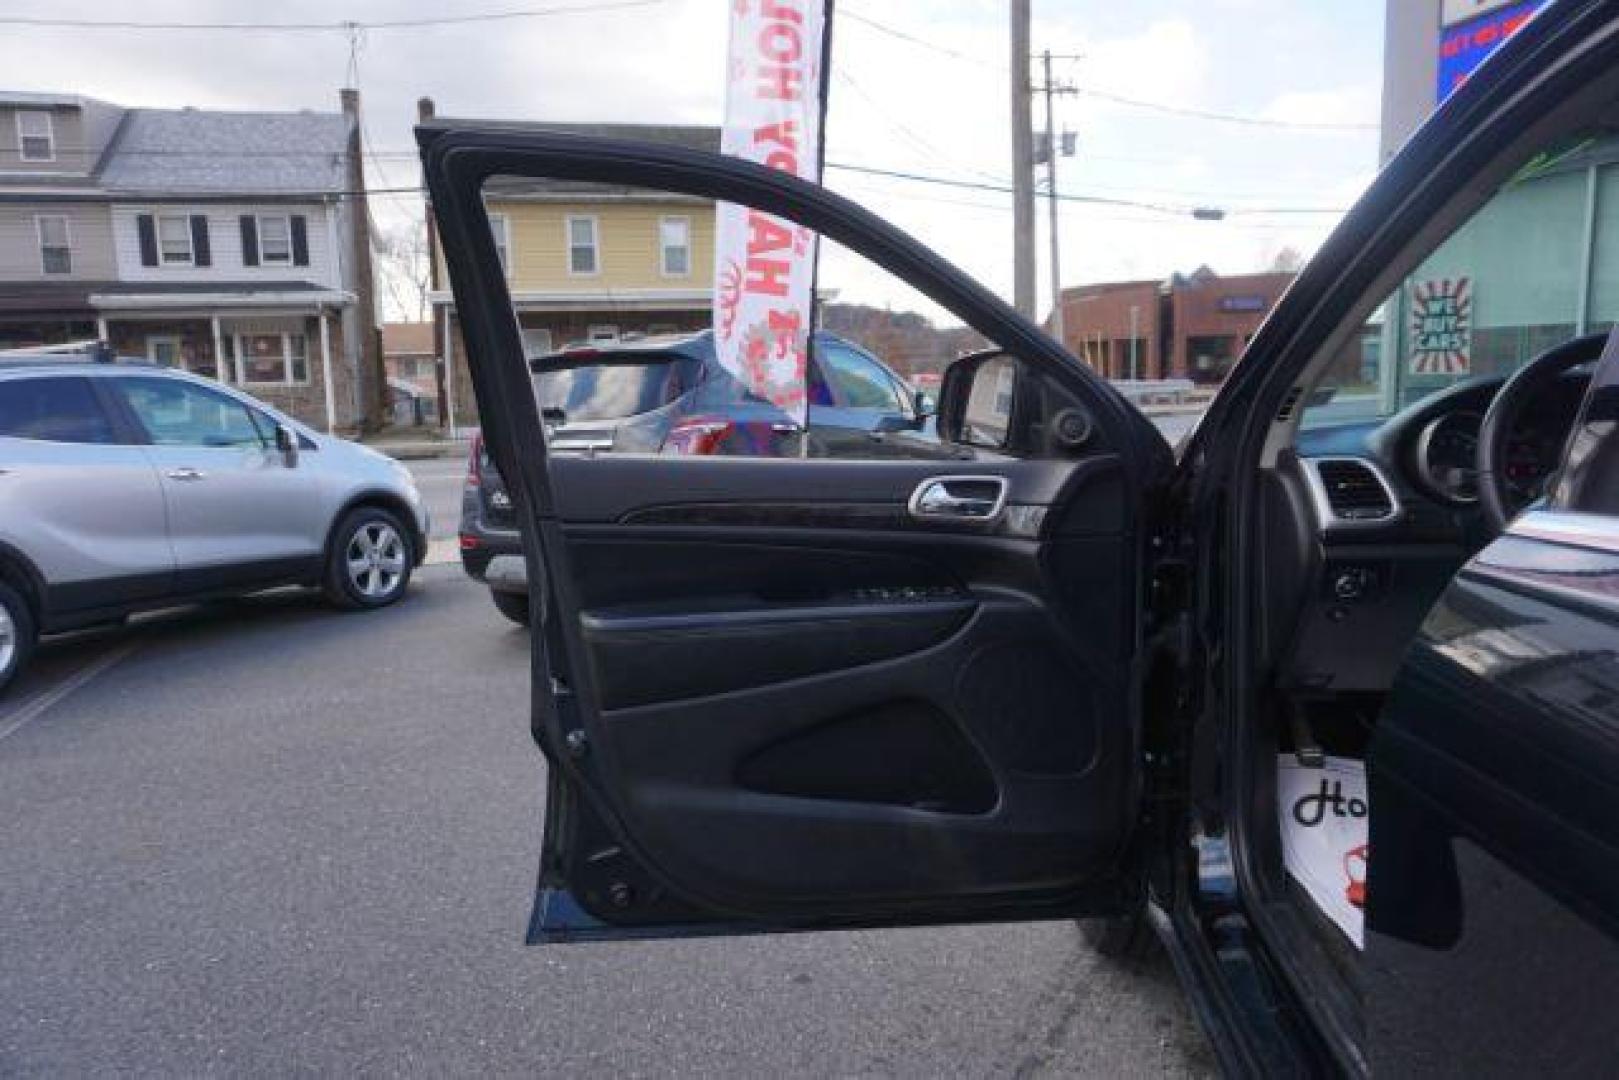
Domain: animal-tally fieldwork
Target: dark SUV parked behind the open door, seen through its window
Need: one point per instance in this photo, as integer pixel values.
(671, 396)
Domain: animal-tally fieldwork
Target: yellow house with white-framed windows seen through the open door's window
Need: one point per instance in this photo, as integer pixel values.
(590, 263)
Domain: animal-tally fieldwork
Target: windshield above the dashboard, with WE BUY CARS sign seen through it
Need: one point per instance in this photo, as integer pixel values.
(1534, 268)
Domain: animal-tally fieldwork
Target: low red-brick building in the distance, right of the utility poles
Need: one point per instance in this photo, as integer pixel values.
(1192, 326)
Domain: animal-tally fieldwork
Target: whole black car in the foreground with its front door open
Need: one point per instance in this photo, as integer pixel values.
(1068, 678)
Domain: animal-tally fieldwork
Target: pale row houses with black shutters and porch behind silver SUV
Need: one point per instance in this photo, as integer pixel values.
(231, 245)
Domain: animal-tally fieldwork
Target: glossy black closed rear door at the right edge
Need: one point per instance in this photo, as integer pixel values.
(1495, 872)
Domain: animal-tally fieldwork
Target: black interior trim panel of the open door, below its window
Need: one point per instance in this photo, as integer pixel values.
(896, 697)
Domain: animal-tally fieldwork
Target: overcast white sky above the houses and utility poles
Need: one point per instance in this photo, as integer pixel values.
(937, 108)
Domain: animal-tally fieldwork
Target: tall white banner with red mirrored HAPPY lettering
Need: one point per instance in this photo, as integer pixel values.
(765, 266)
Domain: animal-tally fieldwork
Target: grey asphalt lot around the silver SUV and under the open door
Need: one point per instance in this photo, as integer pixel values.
(268, 838)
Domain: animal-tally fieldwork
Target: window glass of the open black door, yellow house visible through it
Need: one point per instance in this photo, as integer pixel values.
(859, 347)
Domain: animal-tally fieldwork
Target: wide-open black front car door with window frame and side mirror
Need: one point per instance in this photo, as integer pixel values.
(797, 692)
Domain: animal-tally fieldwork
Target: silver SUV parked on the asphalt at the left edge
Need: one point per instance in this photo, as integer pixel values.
(127, 487)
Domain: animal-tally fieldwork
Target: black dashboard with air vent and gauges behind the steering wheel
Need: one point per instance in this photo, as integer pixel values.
(1369, 522)
